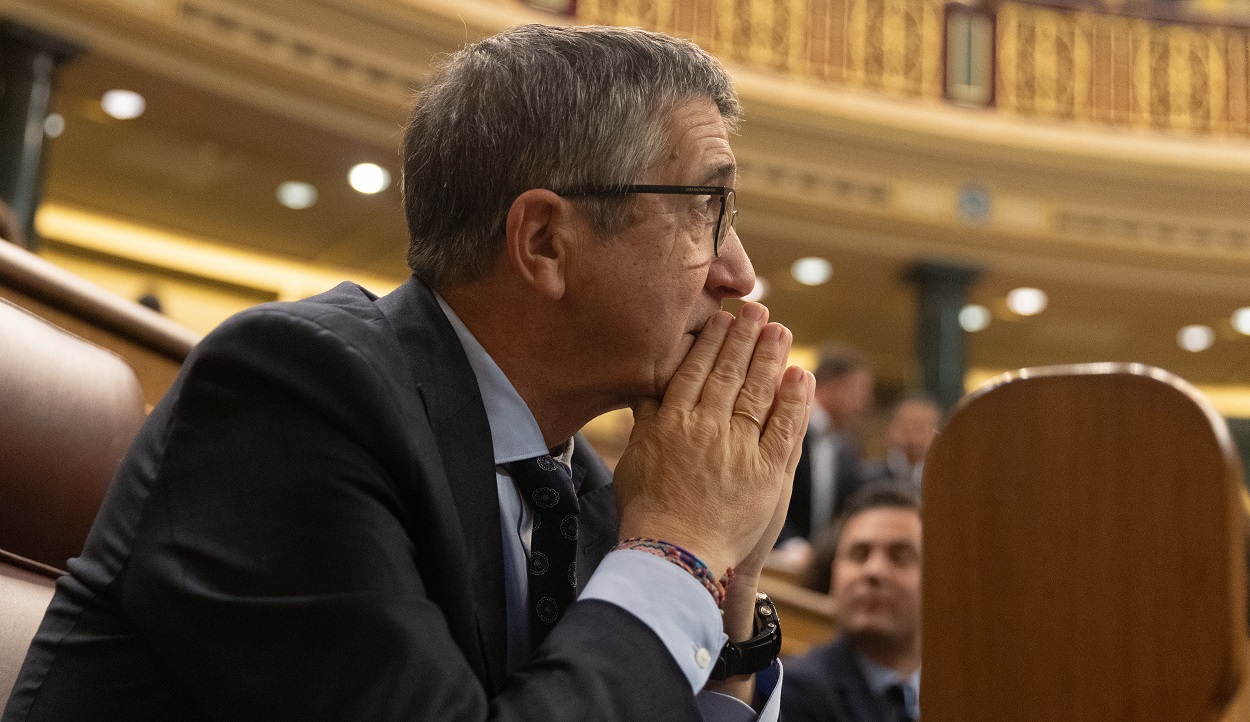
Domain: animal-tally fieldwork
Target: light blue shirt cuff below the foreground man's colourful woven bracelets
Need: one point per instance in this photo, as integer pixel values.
(668, 600)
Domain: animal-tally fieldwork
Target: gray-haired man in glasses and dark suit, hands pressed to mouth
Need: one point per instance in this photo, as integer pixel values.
(377, 508)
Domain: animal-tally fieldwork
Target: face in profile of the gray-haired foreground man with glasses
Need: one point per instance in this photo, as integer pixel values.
(644, 297)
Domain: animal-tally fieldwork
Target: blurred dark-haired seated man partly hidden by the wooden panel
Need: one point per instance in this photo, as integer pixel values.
(872, 671)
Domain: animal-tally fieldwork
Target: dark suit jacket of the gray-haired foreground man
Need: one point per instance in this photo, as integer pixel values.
(308, 529)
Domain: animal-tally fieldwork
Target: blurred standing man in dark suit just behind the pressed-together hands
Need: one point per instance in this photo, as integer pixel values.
(829, 469)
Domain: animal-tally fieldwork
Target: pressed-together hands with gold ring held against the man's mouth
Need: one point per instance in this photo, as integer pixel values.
(698, 475)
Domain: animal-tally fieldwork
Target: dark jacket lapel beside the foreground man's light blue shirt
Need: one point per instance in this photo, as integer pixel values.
(458, 418)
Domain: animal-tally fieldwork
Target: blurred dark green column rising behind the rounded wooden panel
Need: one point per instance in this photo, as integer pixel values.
(942, 292)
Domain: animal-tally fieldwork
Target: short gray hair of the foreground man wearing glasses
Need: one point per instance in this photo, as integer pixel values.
(539, 107)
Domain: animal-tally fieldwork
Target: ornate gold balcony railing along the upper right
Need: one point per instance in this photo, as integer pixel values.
(1057, 64)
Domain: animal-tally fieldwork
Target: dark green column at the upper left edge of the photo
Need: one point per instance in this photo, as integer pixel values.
(29, 61)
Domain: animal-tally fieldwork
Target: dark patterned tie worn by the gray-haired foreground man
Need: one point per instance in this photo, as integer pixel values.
(548, 488)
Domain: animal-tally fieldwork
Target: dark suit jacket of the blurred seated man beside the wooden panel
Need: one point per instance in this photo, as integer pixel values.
(827, 686)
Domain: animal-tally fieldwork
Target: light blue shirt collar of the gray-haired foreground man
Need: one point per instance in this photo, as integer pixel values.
(514, 432)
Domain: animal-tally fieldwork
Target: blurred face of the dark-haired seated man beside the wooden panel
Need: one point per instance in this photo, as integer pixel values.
(877, 576)
